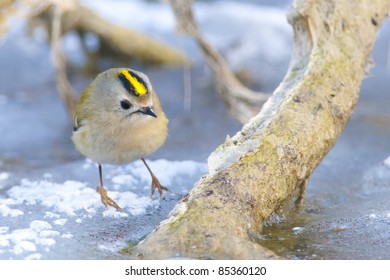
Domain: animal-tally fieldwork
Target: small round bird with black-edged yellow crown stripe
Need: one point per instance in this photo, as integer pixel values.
(118, 120)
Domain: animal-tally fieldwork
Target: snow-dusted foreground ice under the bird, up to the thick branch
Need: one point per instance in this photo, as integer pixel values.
(47, 218)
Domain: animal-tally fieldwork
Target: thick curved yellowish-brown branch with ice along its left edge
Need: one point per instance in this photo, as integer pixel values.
(263, 169)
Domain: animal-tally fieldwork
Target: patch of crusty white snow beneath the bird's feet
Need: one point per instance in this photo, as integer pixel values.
(57, 212)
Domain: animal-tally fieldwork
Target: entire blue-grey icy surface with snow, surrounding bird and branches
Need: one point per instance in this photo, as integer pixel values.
(48, 205)
